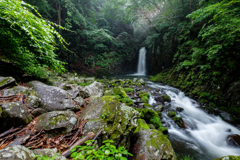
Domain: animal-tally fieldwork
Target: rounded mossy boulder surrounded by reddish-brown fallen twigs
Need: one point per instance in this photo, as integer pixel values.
(58, 122)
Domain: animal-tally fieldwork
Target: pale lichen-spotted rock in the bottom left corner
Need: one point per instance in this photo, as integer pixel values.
(17, 152)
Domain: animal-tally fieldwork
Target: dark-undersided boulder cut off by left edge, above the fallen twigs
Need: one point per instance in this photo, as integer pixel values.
(13, 114)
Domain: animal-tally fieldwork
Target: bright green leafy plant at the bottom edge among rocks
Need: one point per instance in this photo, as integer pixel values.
(105, 152)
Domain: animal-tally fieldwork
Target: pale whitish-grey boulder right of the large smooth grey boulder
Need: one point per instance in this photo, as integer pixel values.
(95, 89)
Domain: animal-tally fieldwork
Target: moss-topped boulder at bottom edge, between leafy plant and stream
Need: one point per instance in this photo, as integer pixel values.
(153, 144)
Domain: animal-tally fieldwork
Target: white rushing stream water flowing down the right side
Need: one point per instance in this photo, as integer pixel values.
(206, 135)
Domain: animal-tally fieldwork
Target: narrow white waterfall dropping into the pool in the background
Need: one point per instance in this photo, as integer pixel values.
(142, 62)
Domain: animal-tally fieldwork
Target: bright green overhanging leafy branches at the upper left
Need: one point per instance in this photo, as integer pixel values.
(27, 40)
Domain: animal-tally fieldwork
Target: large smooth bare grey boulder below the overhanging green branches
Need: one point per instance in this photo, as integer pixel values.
(52, 98)
